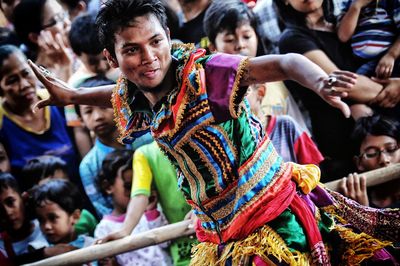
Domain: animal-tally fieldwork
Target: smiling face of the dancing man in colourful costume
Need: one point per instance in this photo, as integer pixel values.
(143, 52)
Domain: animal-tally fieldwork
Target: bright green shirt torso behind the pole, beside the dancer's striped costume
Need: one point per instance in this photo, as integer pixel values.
(173, 203)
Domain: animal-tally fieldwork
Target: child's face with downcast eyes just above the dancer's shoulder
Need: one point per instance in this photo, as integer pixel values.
(243, 41)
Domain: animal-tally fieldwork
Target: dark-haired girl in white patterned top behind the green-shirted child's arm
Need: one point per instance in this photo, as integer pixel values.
(115, 180)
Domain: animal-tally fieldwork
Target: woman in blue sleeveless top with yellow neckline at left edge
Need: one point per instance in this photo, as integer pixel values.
(26, 134)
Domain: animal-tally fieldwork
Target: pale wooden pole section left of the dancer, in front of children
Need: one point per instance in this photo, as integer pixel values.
(95, 252)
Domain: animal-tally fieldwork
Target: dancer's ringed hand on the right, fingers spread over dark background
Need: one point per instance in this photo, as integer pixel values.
(337, 86)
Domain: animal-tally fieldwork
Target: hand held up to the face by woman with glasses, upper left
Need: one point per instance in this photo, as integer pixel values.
(54, 54)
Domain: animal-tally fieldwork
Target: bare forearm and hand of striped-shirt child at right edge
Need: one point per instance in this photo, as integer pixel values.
(386, 63)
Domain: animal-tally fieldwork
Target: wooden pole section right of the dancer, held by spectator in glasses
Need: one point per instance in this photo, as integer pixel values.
(374, 177)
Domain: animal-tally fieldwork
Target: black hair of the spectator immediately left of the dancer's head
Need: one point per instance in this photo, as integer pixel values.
(83, 35)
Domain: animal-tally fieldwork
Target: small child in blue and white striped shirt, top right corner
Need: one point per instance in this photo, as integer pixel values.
(373, 28)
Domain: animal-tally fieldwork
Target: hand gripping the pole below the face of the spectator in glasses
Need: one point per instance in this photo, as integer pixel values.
(355, 187)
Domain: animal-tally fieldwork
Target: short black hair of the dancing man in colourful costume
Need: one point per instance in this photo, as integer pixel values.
(118, 14)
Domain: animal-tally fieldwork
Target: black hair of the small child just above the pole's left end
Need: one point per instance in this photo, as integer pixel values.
(59, 191)
